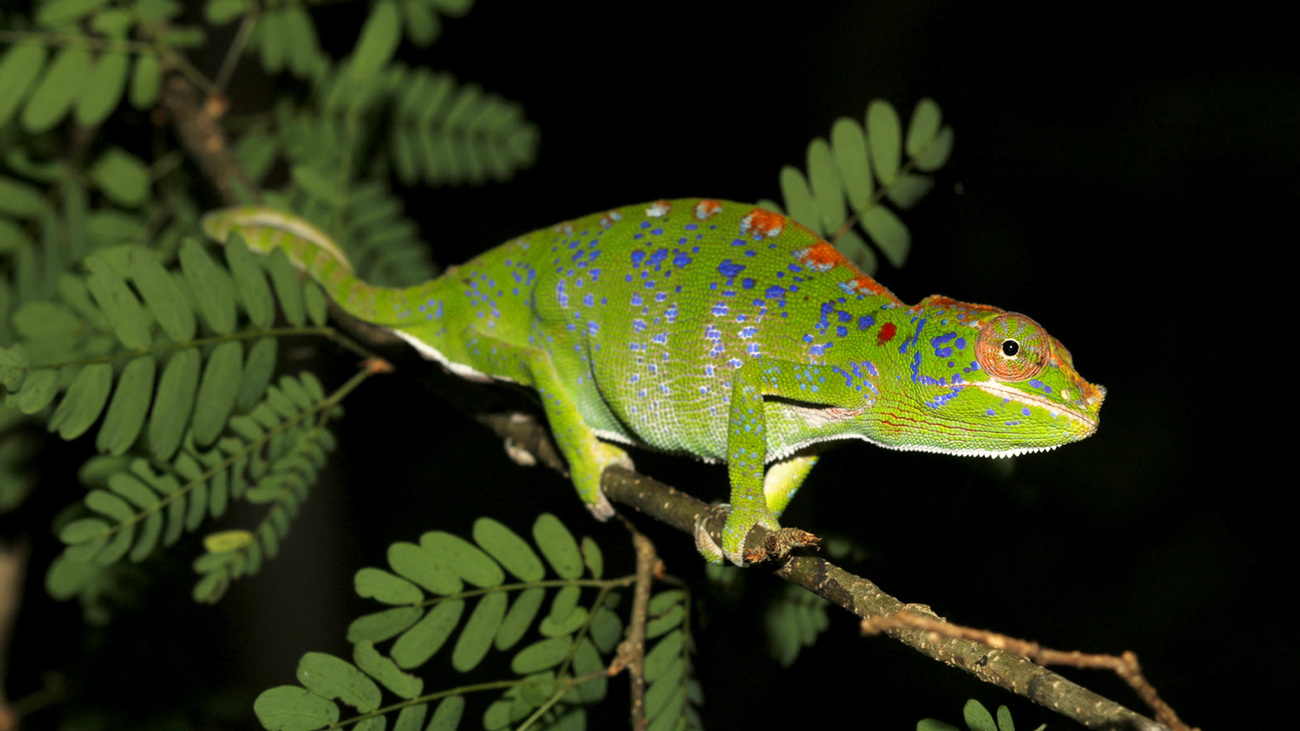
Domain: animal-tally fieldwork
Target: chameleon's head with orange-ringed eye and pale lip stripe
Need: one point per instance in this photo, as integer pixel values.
(990, 383)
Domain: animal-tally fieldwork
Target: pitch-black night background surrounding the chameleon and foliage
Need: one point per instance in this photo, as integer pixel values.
(1128, 179)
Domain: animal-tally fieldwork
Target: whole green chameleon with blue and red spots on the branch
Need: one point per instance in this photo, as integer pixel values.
(714, 330)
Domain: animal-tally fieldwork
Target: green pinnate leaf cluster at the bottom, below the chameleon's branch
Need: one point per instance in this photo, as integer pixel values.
(548, 609)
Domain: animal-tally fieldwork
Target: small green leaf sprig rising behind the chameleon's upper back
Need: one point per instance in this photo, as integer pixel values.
(851, 178)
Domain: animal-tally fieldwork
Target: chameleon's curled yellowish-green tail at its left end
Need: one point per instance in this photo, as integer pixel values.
(310, 250)
